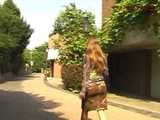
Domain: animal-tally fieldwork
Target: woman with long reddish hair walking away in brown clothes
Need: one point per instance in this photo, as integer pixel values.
(93, 91)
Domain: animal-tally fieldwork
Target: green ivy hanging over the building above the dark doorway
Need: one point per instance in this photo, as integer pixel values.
(127, 15)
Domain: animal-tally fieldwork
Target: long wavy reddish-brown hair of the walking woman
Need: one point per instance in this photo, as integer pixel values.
(95, 55)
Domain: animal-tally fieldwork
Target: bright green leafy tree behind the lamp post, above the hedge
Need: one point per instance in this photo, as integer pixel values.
(70, 25)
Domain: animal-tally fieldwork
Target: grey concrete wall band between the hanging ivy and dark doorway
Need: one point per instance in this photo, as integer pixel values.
(138, 40)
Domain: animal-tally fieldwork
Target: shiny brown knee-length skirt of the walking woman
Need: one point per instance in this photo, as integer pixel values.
(95, 96)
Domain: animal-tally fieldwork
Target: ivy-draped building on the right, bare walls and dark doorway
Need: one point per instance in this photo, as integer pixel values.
(135, 64)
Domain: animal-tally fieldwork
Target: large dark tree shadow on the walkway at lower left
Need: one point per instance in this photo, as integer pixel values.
(24, 106)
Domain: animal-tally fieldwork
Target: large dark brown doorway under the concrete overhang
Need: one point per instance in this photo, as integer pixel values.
(131, 72)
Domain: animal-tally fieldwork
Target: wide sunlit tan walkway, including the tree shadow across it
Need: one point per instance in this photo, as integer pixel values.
(33, 99)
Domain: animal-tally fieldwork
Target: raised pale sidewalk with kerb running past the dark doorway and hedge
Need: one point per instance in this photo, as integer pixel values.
(146, 106)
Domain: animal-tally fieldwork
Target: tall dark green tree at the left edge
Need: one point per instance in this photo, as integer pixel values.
(14, 35)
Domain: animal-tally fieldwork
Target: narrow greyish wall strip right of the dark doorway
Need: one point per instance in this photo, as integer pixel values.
(155, 79)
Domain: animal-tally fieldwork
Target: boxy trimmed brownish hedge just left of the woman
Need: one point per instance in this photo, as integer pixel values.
(72, 74)
